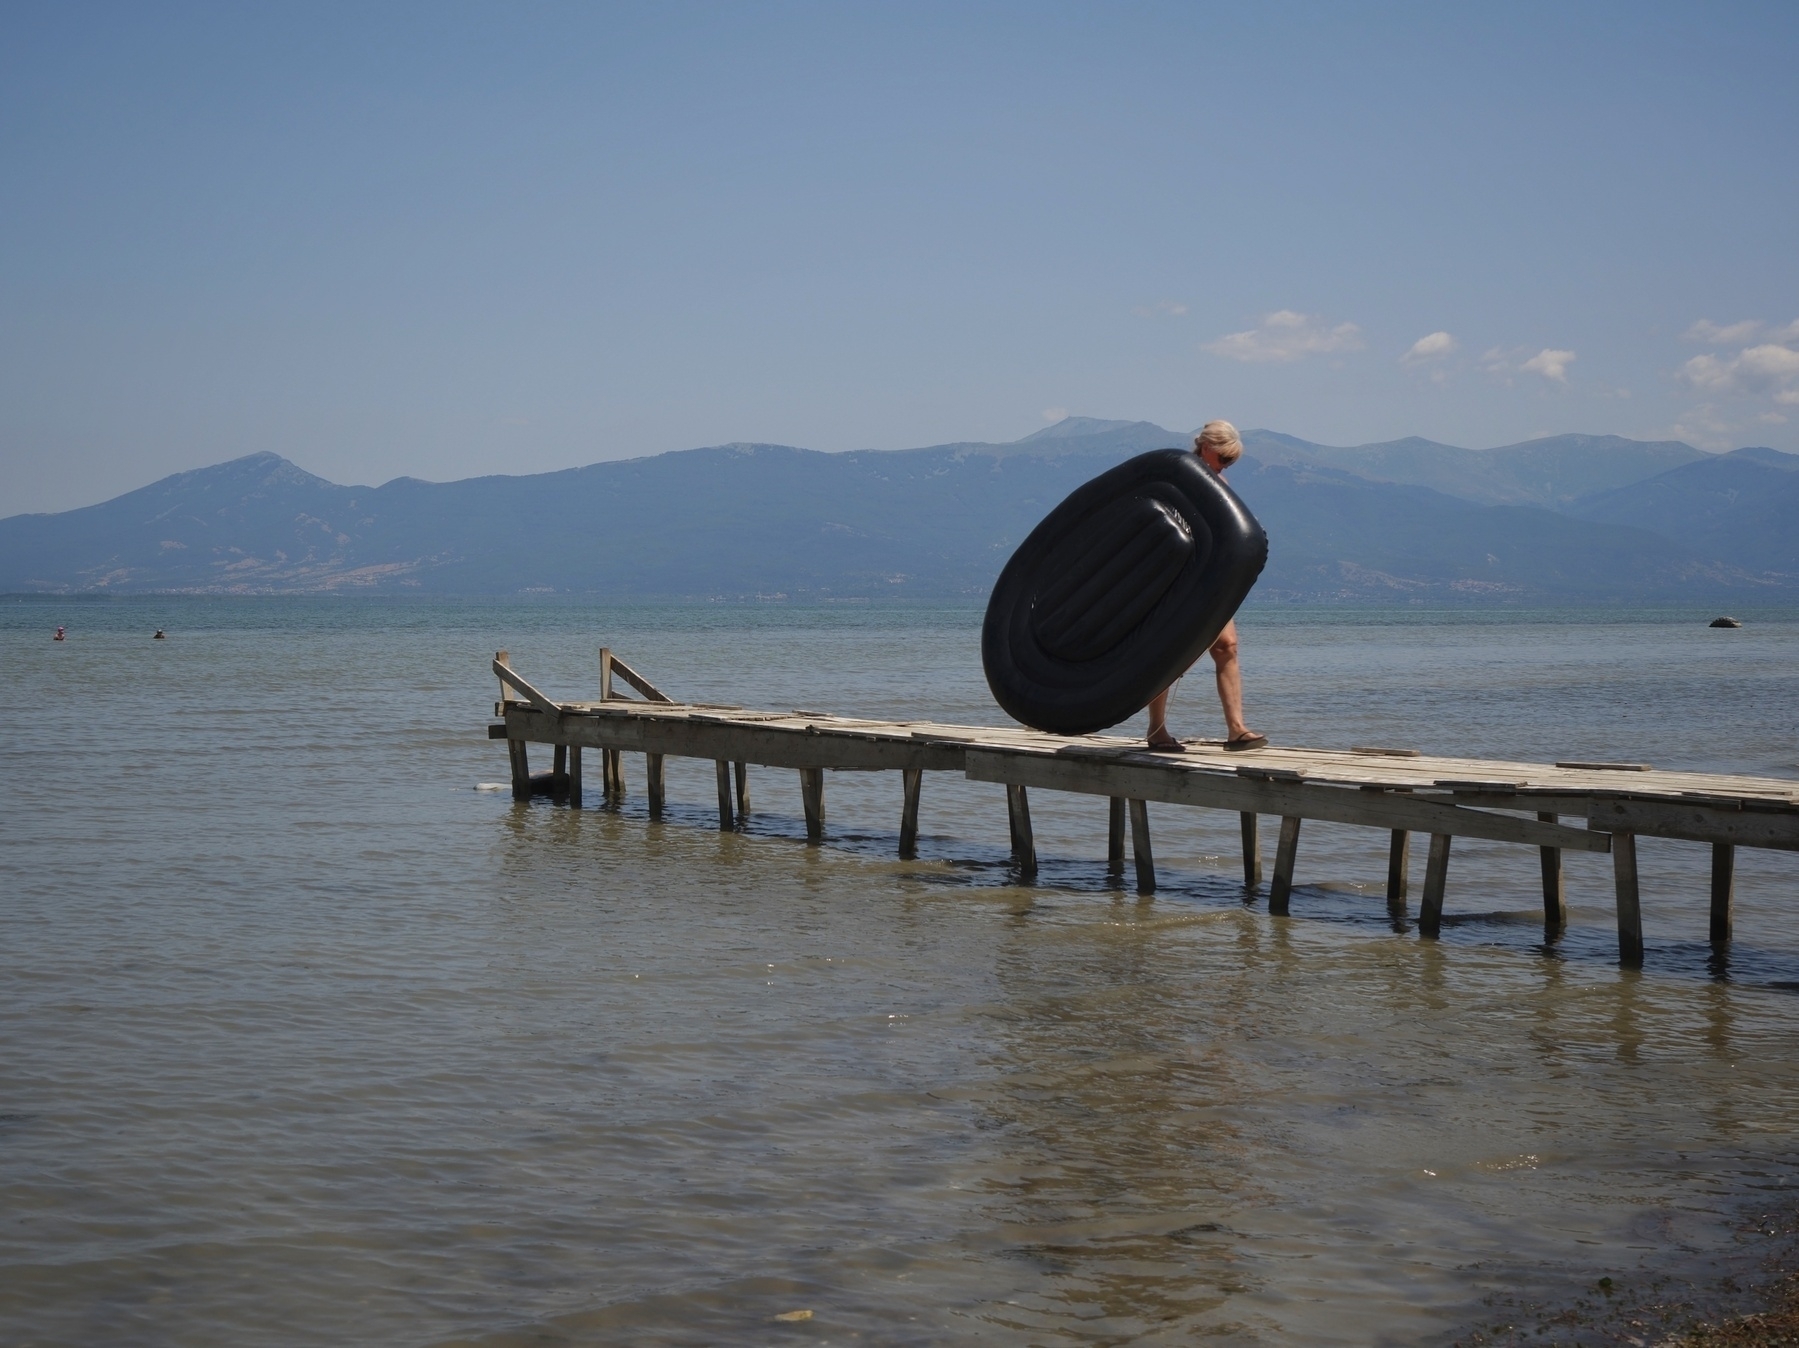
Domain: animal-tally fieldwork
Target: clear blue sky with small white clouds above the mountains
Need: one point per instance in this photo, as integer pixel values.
(445, 240)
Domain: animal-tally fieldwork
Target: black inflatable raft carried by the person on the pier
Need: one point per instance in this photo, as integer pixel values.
(1118, 591)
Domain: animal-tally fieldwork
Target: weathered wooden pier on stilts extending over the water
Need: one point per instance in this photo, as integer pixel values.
(1390, 789)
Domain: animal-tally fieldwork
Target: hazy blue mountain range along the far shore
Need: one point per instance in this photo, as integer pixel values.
(1559, 519)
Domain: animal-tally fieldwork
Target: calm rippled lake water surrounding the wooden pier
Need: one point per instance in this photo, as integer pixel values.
(309, 1041)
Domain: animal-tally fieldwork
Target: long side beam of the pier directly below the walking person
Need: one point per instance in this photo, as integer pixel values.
(1276, 798)
